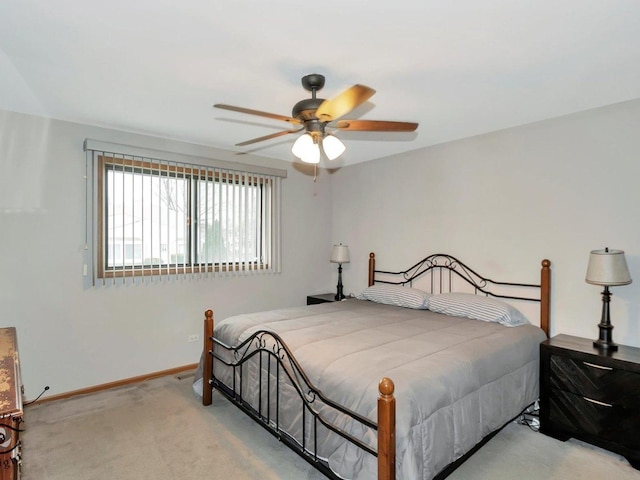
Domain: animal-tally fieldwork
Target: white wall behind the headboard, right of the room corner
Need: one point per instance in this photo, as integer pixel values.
(503, 202)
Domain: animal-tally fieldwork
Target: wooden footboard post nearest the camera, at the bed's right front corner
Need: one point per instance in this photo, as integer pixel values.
(386, 430)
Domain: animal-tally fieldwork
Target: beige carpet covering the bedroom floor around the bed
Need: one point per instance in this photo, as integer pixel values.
(159, 430)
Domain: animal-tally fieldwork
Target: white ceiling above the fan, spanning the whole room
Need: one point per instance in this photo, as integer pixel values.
(459, 68)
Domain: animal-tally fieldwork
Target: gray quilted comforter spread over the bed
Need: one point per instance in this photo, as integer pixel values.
(456, 379)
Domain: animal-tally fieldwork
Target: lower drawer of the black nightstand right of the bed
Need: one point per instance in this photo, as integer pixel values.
(606, 422)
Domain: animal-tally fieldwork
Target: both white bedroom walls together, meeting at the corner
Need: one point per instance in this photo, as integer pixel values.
(502, 202)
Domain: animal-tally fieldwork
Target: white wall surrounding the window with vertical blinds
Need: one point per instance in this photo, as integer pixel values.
(71, 337)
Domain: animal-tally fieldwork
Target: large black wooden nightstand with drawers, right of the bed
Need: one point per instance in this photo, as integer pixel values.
(591, 396)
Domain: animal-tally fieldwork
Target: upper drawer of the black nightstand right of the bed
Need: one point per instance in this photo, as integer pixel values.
(594, 380)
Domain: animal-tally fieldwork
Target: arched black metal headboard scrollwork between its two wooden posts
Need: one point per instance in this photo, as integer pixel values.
(442, 270)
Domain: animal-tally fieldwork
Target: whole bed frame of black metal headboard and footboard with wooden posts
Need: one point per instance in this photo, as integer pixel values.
(275, 361)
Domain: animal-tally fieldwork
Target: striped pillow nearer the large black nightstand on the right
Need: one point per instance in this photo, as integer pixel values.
(477, 307)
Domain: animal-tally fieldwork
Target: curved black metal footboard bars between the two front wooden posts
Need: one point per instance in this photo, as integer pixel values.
(278, 368)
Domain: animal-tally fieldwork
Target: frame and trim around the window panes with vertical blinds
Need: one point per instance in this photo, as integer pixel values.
(97, 161)
